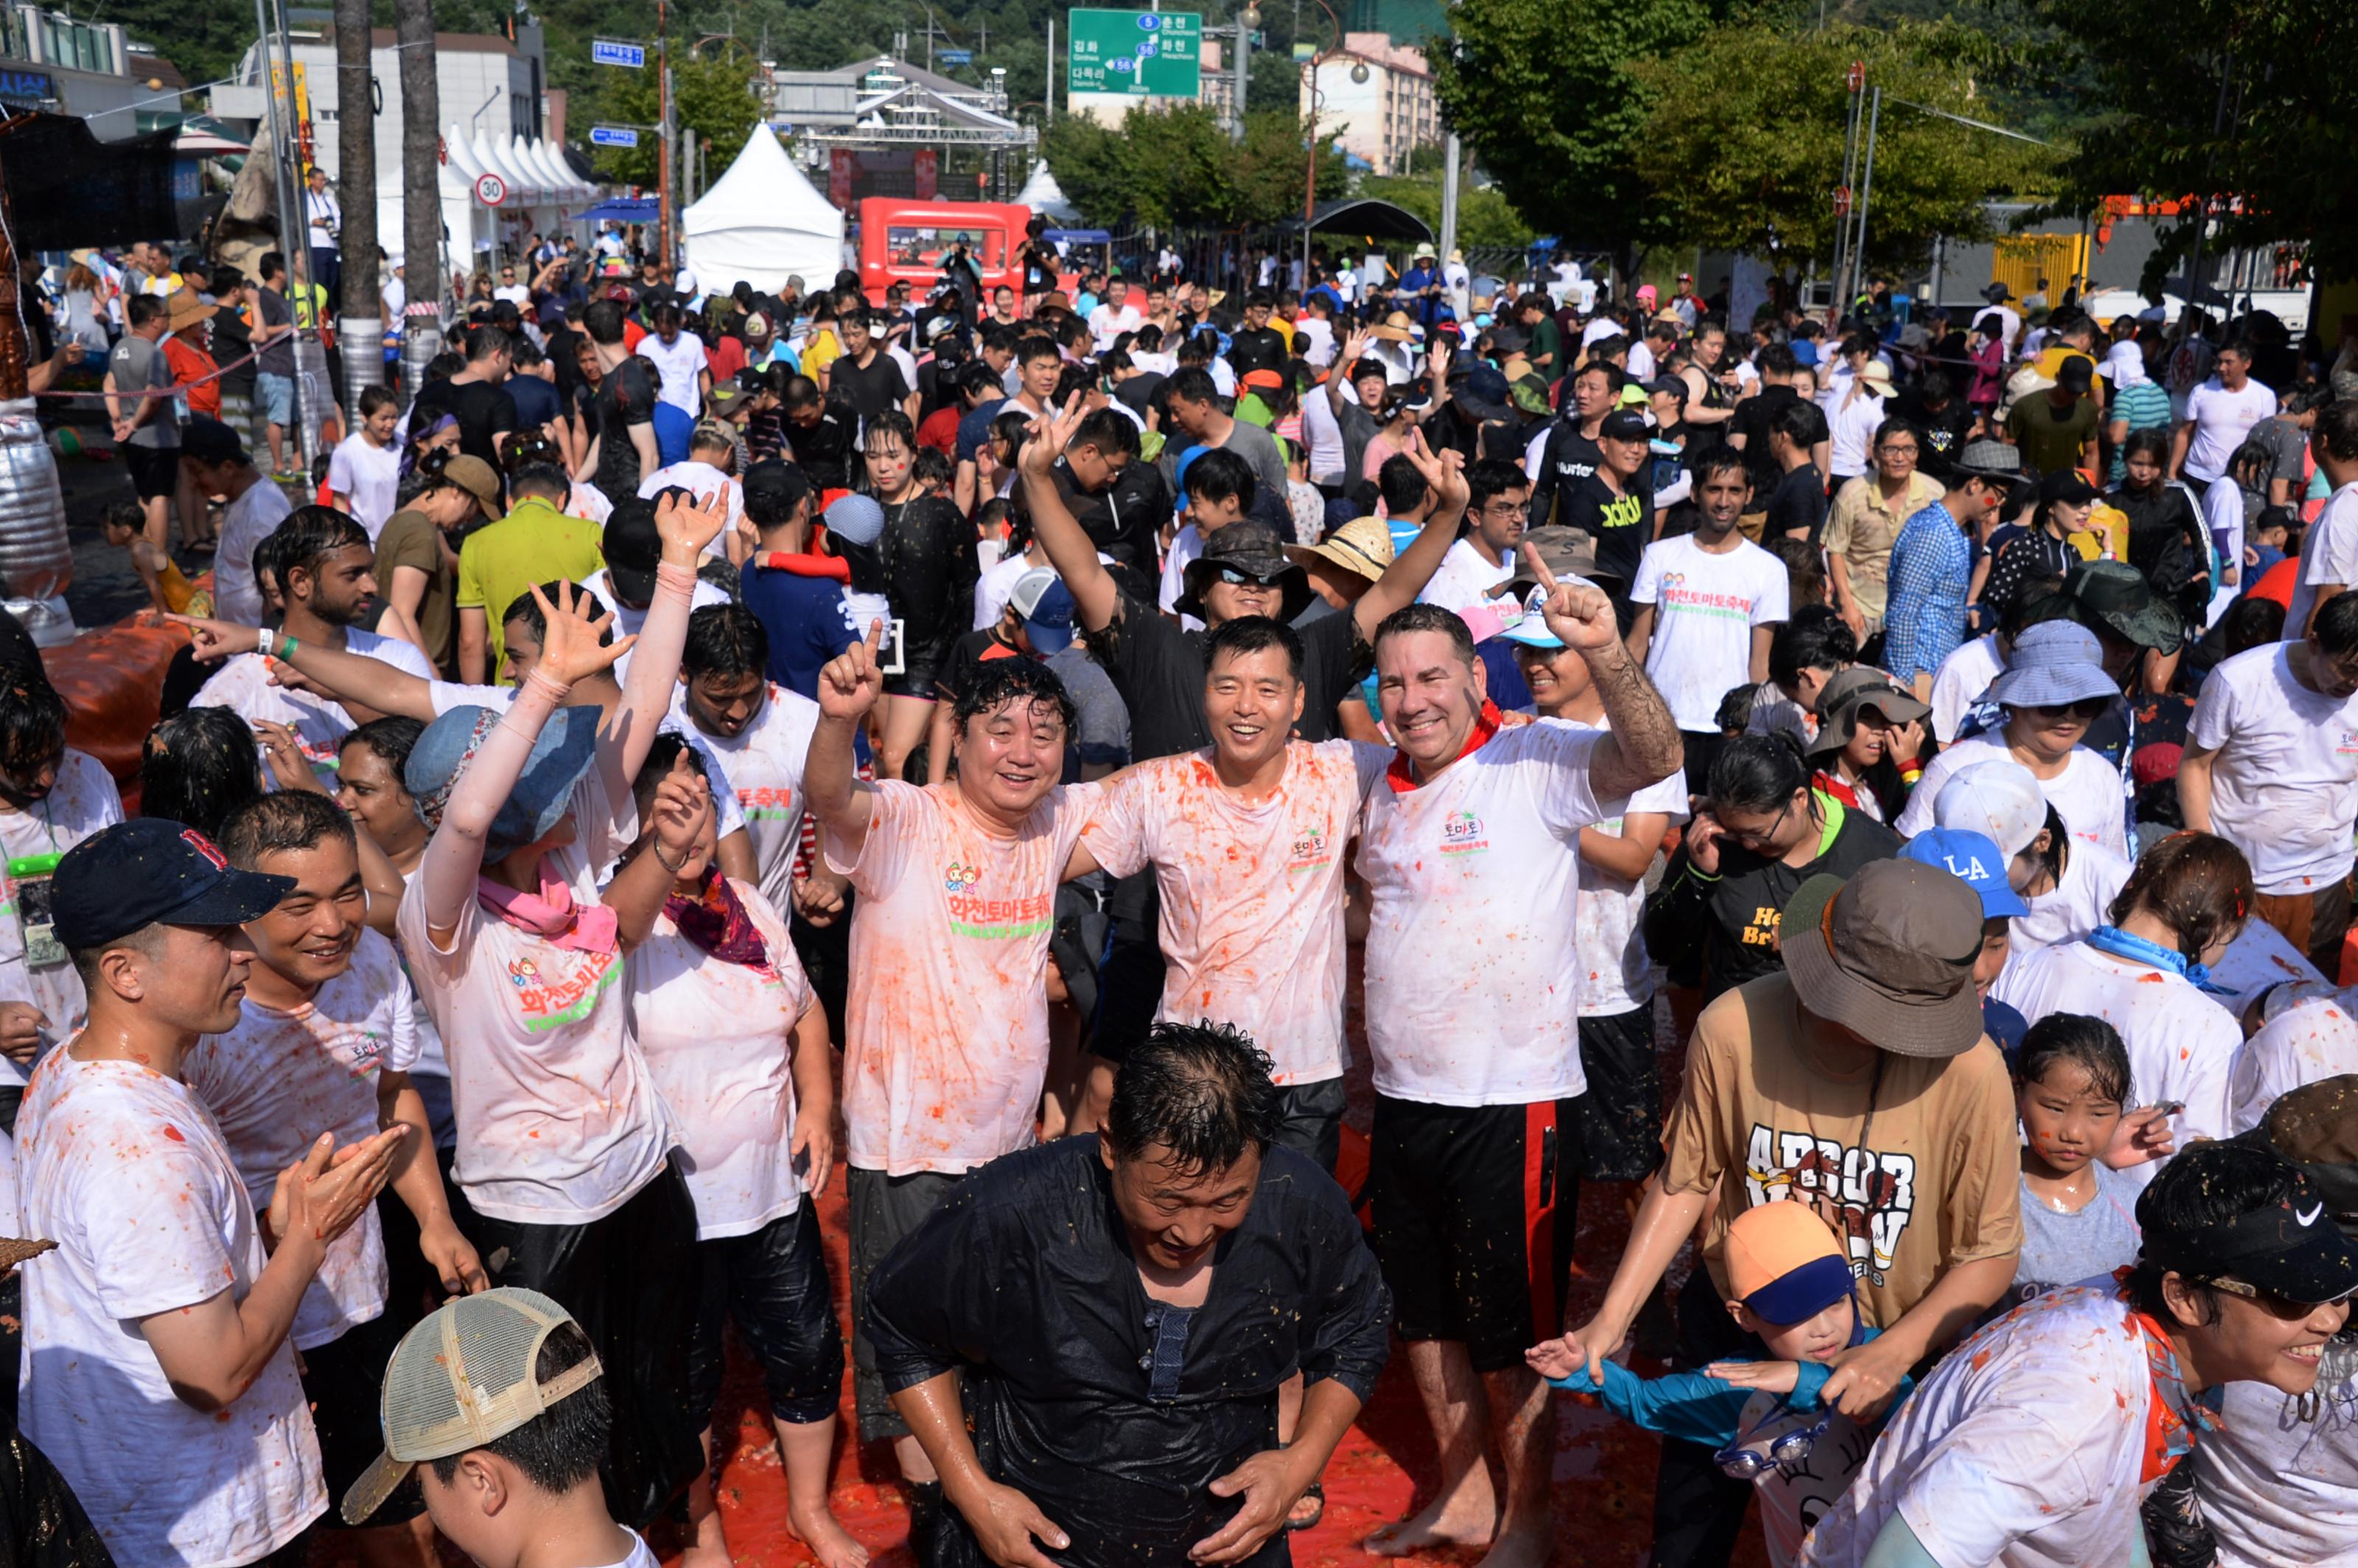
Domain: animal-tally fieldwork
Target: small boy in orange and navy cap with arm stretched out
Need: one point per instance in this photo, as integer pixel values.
(1793, 1293)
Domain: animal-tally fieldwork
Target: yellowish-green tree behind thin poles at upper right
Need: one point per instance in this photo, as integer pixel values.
(1746, 131)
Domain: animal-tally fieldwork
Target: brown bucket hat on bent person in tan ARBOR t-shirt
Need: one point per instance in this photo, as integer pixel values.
(1890, 956)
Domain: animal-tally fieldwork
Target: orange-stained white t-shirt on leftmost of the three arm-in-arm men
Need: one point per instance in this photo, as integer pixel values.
(947, 1022)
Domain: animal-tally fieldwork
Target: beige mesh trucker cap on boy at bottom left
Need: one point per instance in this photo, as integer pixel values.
(463, 1378)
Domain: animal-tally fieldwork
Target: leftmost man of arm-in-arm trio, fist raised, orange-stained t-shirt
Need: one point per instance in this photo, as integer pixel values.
(947, 1029)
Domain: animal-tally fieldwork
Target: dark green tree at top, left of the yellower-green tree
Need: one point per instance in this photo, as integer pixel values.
(1550, 100)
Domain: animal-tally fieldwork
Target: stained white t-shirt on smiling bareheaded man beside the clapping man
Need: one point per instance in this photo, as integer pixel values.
(282, 1079)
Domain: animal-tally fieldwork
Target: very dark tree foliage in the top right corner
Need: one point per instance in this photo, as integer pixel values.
(2244, 105)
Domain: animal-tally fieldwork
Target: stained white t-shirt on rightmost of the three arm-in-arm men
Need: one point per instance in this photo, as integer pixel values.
(1473, 954)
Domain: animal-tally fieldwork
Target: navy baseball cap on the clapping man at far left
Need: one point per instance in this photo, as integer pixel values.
(154, 871)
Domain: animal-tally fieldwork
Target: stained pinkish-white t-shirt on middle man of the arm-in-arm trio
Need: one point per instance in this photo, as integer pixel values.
(1251, 892)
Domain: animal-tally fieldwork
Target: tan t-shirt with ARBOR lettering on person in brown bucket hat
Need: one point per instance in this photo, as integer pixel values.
(1937, 1187)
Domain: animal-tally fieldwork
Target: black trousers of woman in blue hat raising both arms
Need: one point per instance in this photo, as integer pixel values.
(631, 1282)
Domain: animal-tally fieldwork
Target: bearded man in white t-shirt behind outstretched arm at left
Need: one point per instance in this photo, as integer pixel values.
(324, 572)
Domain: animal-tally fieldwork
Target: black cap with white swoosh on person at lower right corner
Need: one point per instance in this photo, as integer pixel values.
(2288, 1244)
